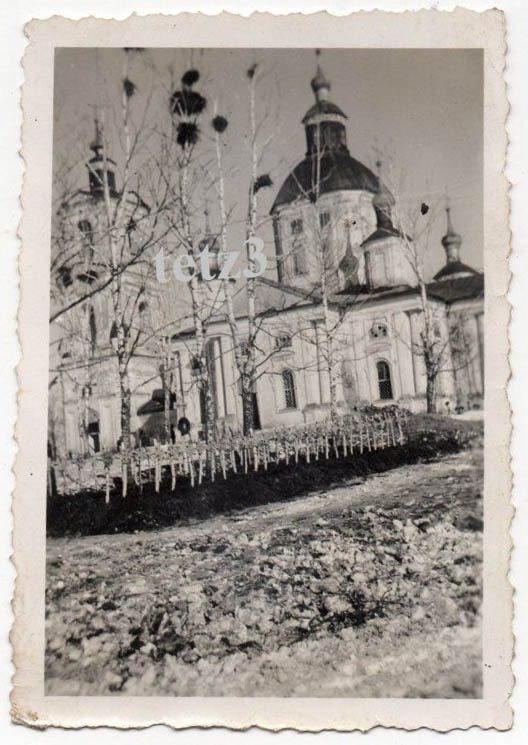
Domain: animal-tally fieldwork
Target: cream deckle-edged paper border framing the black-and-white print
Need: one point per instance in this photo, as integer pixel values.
(29, 705)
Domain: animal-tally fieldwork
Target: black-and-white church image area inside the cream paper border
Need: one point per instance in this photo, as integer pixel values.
(266, 383)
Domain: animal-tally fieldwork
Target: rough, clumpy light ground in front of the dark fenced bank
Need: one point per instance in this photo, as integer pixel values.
(371, 589)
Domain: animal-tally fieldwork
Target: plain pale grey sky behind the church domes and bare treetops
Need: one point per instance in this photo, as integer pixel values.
(422, 108)
